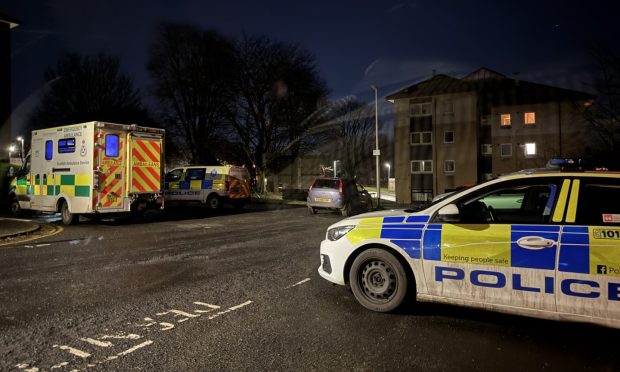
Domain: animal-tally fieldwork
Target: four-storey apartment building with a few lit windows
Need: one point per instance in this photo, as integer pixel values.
(450, 132)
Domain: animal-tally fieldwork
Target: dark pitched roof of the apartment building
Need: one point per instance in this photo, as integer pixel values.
(493, 88)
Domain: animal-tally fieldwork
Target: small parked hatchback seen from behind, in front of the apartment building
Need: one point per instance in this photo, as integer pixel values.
(341, 194)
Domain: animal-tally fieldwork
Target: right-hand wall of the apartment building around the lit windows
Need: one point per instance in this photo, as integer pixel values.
(557, 132)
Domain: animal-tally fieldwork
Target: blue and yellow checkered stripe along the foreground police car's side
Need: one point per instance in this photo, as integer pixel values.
(583, 249)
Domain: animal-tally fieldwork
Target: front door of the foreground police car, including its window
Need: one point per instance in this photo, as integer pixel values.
(499, 249)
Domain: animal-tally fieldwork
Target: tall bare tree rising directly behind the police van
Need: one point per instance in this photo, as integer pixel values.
(192, 70)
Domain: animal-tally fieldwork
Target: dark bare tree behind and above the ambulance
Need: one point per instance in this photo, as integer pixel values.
(86, 88)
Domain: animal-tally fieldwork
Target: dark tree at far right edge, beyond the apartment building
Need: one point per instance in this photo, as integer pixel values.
(604, 115)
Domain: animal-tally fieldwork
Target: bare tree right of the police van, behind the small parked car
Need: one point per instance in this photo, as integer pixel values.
(278, 95)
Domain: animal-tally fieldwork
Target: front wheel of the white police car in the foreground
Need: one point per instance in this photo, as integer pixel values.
(378, 280)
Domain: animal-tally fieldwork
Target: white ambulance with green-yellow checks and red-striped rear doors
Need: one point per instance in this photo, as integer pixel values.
(91, 169)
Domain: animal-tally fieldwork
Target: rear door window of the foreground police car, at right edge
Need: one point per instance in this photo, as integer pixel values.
(599, 203)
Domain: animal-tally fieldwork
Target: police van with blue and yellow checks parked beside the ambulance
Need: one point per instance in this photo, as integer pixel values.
(210, 185)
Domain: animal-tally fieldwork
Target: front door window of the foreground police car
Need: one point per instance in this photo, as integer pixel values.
(516, 203)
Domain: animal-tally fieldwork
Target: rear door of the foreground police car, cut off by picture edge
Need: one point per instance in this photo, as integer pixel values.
(589, 264)
